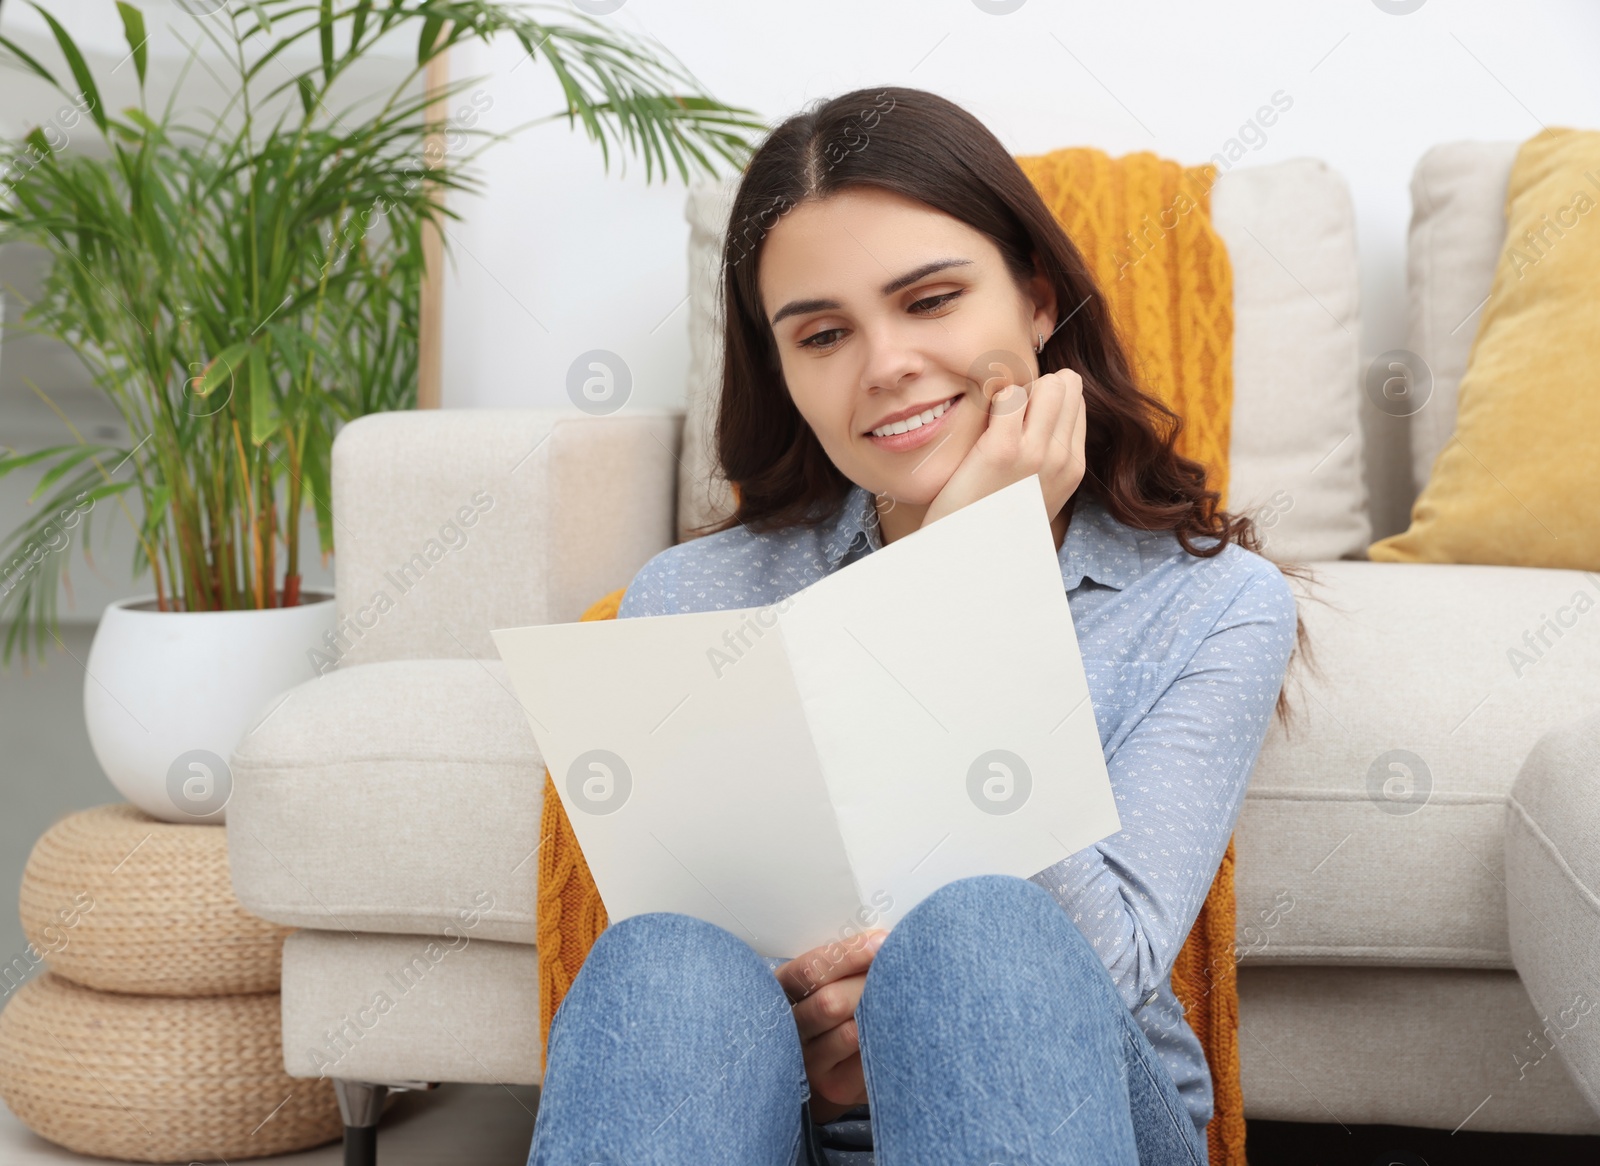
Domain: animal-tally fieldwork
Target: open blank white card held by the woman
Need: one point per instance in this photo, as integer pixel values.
(807, 770)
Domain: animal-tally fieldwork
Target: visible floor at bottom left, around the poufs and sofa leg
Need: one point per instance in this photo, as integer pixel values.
(484, 1125)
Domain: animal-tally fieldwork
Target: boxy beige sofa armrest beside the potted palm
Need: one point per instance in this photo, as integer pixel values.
(455, 522)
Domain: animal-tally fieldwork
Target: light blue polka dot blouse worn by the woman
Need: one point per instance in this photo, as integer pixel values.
(1185, 660)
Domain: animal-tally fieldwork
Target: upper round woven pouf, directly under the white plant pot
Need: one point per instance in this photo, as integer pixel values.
(119, 901)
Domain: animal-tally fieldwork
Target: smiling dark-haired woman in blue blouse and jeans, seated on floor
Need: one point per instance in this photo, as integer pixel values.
(910, 330)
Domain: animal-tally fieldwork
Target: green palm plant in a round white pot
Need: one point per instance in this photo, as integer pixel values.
(242, 286)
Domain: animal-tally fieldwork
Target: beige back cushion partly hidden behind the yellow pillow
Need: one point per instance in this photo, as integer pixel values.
(1458, 226)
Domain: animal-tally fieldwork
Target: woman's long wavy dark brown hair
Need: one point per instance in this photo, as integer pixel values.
(929, 150)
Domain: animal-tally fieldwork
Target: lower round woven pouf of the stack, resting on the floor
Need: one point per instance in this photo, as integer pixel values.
(158, 1079)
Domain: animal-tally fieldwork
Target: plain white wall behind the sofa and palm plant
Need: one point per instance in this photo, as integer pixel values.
(562, 257)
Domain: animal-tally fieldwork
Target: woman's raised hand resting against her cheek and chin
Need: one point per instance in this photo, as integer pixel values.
(1036, 429)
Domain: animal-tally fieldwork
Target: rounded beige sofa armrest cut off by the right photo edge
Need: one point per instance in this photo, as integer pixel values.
(1553, 896)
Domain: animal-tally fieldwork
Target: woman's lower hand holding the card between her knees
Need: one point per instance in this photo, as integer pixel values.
(825, 988)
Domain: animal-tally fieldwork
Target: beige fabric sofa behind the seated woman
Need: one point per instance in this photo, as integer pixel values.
(1415, 940)
